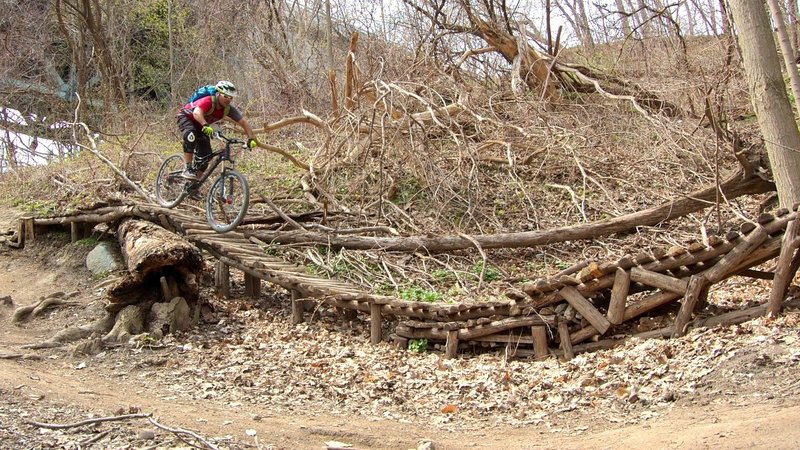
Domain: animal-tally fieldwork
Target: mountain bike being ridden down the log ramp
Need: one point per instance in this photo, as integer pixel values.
(226, 202)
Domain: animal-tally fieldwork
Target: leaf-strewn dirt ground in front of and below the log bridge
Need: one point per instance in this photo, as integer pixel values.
(748, 395)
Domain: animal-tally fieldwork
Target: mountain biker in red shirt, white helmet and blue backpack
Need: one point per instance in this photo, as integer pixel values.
(194, 123)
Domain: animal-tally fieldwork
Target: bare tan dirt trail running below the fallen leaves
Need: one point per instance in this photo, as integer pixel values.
(772, 425)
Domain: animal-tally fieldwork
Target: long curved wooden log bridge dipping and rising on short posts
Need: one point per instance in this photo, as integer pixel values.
(572, 312)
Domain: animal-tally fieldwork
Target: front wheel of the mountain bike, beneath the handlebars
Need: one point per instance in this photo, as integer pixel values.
(227, 201)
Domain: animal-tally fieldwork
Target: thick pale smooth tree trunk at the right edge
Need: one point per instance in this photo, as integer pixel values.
(768, 94)
